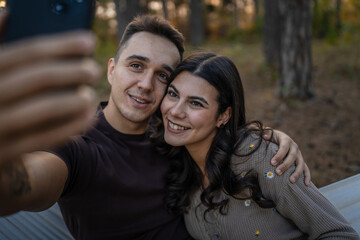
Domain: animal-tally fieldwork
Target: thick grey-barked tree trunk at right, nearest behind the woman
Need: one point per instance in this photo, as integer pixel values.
(295, 53)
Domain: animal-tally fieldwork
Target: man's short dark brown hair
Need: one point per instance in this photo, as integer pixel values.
(154, 25)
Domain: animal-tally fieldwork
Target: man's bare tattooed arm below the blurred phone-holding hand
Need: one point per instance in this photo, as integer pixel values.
(32, 183)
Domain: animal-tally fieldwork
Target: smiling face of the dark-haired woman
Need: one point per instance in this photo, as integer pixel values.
(189, 112)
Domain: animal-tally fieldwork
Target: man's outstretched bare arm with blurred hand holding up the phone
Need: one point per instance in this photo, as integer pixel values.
(44, 98)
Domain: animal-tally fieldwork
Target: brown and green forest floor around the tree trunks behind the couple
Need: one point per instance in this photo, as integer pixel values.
(326, 128)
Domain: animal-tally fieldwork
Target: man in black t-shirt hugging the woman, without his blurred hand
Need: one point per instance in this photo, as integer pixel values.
(109, 182)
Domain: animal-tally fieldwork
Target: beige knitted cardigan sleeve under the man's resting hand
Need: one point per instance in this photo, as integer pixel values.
(305, 206)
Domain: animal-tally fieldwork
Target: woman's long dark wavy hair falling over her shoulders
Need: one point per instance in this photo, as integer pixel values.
(185, 177)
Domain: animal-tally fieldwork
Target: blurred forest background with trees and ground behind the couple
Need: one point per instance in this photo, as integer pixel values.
(299, 61)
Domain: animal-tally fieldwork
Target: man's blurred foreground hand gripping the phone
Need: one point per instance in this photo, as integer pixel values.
(44, 92)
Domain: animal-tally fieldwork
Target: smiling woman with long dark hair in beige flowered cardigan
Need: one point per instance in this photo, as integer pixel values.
(221, 178)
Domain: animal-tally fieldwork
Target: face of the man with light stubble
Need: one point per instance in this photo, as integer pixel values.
(138, 80)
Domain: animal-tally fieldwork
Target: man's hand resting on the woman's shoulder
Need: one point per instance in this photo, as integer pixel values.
(290, 152)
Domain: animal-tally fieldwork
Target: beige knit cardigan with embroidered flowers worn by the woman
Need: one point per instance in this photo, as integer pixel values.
(301, 212)
